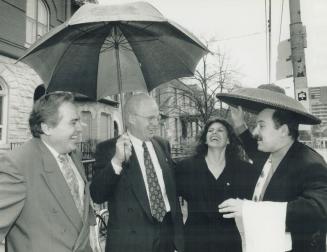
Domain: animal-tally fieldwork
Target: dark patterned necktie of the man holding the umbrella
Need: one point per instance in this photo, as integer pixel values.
(157, 204)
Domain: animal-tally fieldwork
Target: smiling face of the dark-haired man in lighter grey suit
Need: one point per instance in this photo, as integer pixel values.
(64, 136)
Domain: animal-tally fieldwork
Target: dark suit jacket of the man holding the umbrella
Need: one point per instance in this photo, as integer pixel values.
(131, 226)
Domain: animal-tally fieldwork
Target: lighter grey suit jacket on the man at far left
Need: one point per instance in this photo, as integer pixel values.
(37, 211)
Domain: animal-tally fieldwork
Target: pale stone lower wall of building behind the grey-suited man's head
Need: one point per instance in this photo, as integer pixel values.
(21, 81)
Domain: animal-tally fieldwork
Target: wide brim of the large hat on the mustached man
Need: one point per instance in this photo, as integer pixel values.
(256, 99)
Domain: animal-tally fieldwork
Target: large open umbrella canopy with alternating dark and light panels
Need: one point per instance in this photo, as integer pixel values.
(109, 49)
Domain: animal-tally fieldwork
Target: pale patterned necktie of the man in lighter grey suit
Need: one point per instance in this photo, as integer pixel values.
(72, 182)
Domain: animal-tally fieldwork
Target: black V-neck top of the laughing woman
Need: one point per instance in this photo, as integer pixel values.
(205, 228)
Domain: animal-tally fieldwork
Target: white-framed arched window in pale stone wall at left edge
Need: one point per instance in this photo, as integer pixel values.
(3, 112)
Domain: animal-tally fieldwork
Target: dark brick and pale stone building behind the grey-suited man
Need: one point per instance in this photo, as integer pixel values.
(22, 22)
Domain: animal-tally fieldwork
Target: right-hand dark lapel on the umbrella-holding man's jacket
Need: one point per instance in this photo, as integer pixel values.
(167, 175)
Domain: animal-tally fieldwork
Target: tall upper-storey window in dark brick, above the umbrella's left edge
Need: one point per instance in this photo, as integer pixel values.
(37, 20)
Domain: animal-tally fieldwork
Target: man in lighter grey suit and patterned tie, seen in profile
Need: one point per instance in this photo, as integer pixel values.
(44, 195)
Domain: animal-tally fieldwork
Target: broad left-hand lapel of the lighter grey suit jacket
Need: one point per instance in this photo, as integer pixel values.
(58, 186)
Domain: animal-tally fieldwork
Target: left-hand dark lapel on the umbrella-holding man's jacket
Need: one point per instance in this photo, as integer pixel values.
(133, 172)
